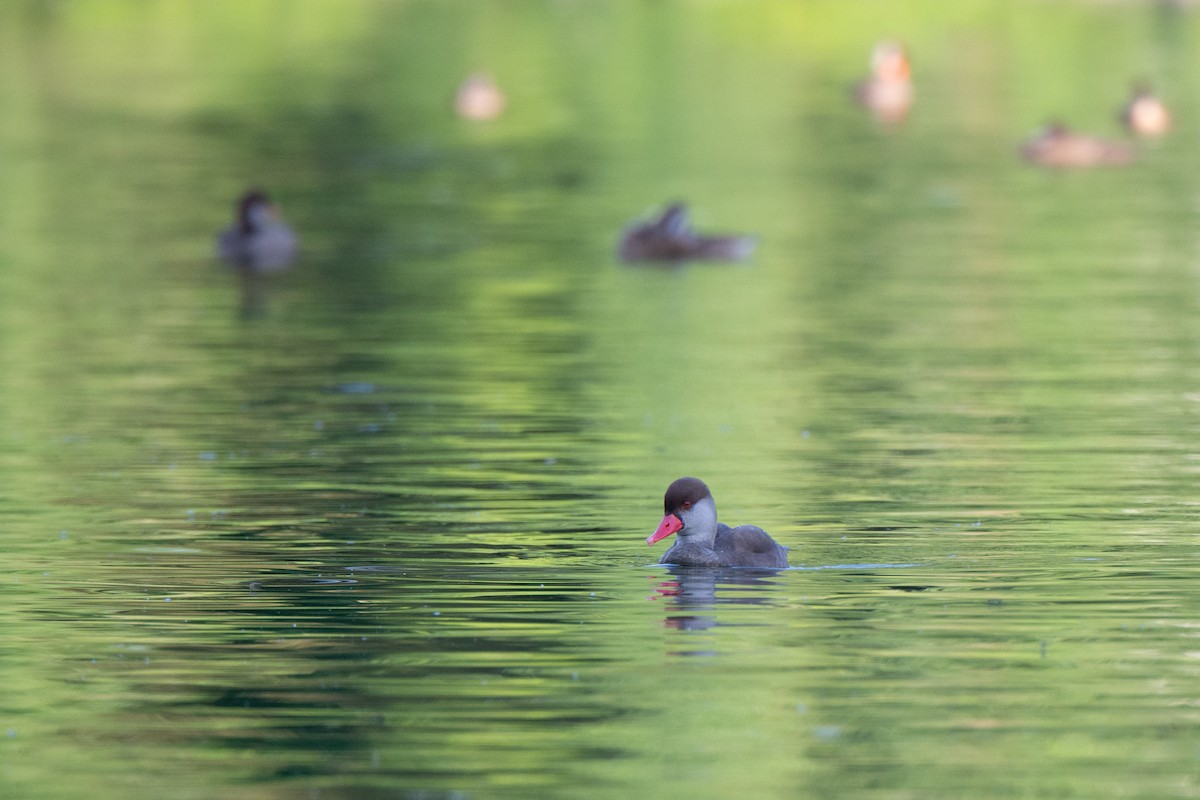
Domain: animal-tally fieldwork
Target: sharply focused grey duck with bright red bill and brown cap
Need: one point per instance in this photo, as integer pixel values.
(691, 513)
